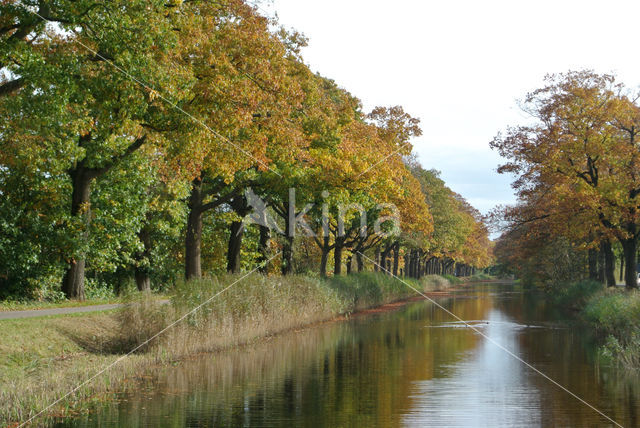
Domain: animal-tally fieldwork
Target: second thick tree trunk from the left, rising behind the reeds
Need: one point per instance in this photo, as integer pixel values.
(193, 241)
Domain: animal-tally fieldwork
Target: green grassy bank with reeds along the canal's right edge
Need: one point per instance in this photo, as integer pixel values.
(613, 313)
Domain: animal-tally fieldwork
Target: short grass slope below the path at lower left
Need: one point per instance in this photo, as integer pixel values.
(41, 360)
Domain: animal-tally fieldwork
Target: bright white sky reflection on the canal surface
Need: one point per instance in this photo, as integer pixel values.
(488, 379)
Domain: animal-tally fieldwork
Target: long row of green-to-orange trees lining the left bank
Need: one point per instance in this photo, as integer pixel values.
(138, 135)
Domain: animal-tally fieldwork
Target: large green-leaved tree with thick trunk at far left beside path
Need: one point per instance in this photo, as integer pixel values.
(72, 63)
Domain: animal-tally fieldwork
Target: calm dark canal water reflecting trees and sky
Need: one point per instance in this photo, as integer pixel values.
(412, 367)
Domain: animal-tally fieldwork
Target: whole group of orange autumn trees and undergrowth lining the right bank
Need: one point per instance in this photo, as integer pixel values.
(578, 181)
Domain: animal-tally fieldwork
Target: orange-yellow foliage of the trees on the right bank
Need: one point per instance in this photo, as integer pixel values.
(578, 167)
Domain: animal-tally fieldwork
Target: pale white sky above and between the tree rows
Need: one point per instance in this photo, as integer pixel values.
(460, 66)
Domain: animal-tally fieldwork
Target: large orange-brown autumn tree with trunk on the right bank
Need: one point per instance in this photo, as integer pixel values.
(583, 150)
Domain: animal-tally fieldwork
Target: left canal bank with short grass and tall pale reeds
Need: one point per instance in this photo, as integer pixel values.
(43, 359)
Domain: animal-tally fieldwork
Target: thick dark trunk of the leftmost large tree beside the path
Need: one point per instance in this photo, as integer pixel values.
(73, 281)
